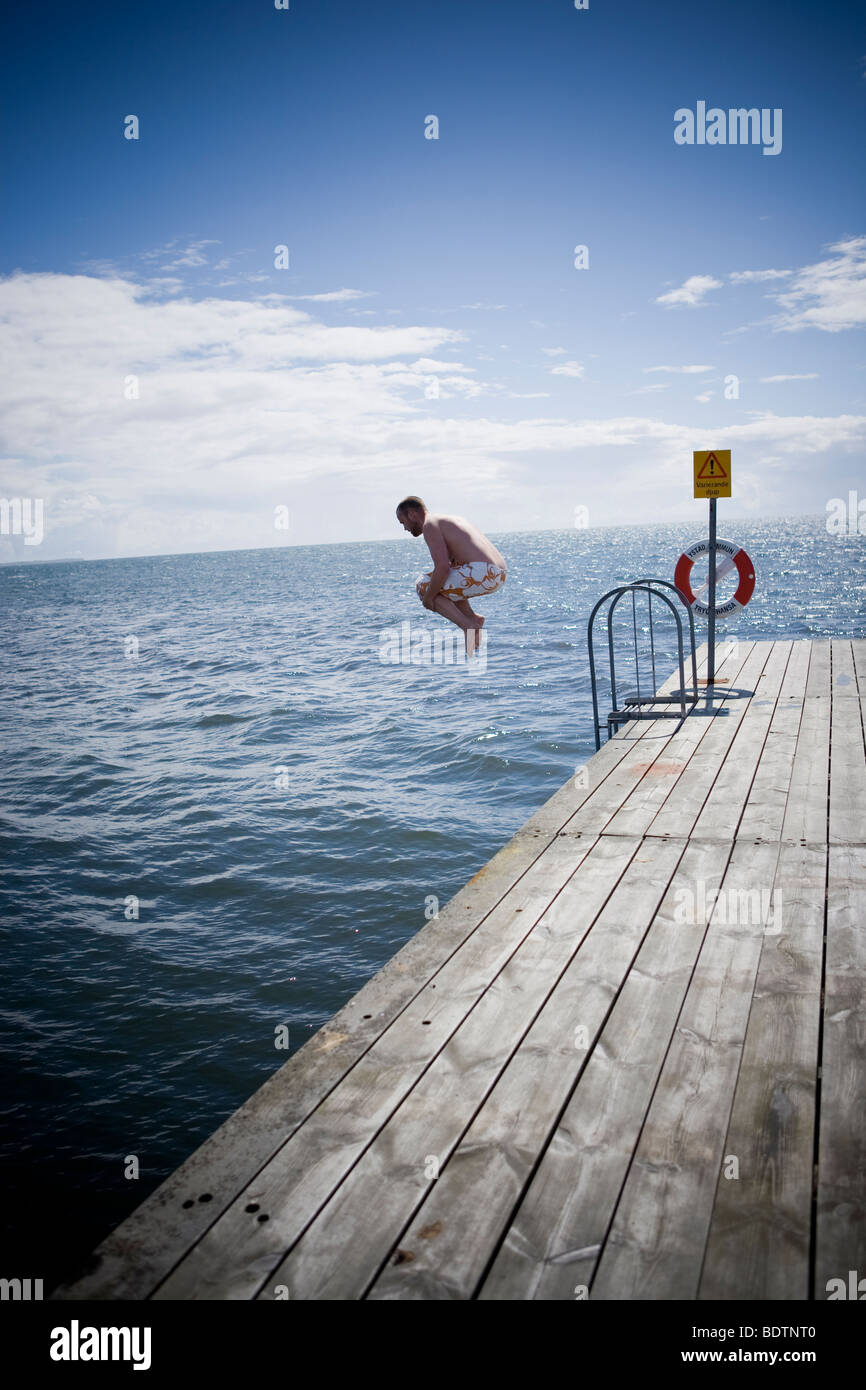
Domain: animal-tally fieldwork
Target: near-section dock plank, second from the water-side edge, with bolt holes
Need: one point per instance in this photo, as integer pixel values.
(240, 1250)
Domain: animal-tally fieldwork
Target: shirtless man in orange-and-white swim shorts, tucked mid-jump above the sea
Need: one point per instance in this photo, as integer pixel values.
(466, 566)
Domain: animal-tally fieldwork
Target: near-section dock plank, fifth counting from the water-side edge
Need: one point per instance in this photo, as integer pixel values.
(554, 1243)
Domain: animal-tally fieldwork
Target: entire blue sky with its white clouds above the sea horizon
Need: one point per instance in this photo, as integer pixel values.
(432, 333)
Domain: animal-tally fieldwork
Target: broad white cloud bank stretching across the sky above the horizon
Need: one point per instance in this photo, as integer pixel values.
(250, 404)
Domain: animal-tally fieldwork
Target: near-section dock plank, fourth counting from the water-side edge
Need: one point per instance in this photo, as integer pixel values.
(446, 1252)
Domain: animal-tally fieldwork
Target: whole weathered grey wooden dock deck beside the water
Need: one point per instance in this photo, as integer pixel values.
(628, 1061)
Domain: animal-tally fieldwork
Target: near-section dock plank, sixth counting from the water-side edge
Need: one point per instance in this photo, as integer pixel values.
(658, 1238)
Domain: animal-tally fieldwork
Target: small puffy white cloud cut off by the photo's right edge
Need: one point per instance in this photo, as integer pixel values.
(829, 295)
